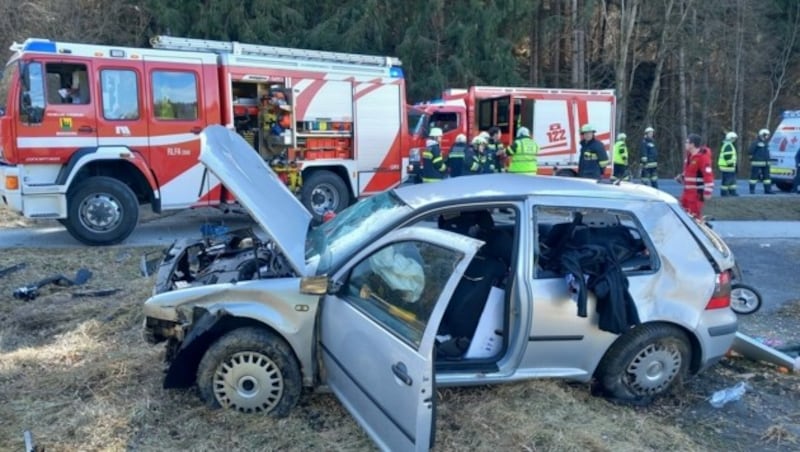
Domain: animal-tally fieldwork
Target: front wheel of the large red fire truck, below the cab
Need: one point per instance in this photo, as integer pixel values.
(101, 211)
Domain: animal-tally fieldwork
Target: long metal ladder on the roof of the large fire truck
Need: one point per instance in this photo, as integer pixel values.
(237, 48)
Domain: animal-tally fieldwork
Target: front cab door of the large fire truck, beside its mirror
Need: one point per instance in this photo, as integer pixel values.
(62, 91)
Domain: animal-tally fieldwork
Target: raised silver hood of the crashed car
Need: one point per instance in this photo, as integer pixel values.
(259, 190)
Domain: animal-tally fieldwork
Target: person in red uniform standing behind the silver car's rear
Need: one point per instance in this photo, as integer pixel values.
(697, 177)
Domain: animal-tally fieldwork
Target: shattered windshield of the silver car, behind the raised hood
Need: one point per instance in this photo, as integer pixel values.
(354, 226)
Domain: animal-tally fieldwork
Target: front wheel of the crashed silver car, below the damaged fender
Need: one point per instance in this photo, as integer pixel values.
(250, 370)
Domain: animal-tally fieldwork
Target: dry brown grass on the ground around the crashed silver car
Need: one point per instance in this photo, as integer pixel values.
(78, 375)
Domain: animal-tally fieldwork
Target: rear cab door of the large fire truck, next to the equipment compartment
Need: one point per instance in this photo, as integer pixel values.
(175, 118)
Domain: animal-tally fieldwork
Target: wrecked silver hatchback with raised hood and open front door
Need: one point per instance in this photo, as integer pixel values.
(473, 280)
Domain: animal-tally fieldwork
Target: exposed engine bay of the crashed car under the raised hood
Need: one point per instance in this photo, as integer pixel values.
(235, 256)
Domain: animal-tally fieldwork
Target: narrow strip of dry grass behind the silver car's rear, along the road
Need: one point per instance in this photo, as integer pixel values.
(777, 208)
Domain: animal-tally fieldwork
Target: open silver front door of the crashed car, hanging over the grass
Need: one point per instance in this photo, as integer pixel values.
(379, 330)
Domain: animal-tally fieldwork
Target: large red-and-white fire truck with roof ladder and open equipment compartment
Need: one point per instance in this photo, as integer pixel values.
(88, 133)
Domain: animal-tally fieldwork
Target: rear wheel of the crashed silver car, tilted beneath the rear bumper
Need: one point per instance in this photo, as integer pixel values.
(644, 363)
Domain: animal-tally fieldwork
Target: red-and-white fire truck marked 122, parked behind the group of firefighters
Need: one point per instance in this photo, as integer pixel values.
(554, 117)
